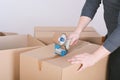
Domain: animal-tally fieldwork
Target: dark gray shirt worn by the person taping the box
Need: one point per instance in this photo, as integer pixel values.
(112, 20)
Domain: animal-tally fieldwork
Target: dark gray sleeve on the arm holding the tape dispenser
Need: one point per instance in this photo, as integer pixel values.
(90, 8)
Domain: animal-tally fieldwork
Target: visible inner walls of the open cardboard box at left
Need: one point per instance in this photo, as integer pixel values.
(18, 41)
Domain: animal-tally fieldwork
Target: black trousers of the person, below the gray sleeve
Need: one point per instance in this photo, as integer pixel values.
(114, 65)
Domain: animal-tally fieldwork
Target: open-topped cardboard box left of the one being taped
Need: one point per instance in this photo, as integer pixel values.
(10, 49)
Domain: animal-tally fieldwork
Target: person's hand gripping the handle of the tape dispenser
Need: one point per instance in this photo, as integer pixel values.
(74, 37)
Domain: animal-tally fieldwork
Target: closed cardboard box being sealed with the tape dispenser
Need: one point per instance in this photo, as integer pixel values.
(43, 64)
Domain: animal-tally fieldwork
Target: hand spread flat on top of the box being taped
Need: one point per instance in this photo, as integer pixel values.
(85, 59)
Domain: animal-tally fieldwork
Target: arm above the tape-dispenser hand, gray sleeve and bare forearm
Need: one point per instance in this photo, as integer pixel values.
(87, 14)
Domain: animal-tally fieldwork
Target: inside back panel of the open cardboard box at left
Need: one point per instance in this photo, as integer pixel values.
(10, 42)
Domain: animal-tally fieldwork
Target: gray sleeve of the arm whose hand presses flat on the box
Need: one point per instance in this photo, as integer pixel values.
(113, 41)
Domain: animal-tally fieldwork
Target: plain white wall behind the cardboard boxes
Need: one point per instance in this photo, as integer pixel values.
(22, 15)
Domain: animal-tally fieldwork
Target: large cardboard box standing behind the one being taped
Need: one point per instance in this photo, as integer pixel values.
(45, 34)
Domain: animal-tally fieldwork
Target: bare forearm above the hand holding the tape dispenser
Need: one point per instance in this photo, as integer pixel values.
(83, 22)
